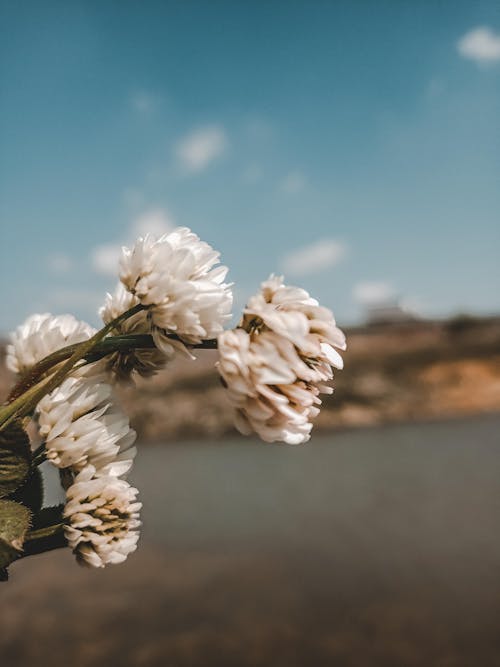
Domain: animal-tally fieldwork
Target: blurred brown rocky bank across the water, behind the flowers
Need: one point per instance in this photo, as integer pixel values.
(422, 370)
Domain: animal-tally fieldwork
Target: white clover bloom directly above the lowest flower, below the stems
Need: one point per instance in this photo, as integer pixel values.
(81, 425)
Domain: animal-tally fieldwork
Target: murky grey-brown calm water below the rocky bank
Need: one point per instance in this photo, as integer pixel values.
(377, 547)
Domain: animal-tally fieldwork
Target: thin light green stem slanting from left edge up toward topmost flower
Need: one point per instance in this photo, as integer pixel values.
(25, 404)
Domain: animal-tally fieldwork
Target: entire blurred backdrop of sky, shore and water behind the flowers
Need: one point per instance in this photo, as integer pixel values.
(353, 147)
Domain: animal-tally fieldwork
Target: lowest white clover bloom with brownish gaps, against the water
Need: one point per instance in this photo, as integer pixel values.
(102, 518)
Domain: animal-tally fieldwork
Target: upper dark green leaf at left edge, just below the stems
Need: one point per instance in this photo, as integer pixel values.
(15, 458)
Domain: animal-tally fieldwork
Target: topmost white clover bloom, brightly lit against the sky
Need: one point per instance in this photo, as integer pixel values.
(175, 276)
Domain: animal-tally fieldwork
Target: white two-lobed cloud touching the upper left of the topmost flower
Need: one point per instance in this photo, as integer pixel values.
(105, 257)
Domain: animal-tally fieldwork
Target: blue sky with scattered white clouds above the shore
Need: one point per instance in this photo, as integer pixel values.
(353, 146)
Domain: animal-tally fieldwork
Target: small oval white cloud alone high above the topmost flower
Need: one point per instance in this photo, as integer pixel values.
(197, 150)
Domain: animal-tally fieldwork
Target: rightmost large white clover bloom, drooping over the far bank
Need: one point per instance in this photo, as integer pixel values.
(279, 361)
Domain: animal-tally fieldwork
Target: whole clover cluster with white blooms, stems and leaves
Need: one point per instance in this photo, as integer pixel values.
(275, 365)
